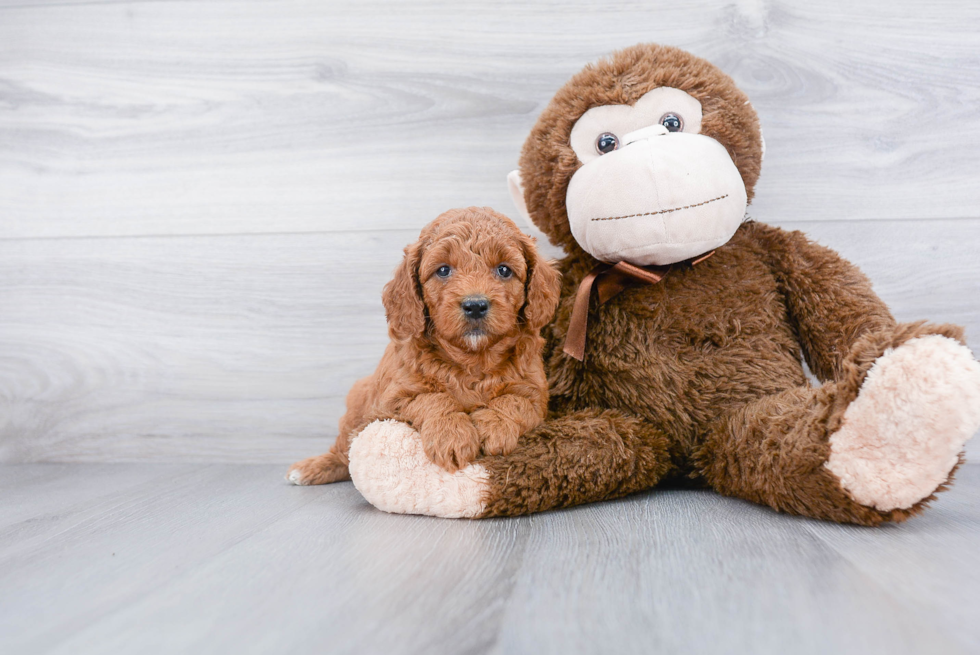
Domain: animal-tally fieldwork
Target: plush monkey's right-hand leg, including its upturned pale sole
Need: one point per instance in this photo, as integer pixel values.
(872, 447)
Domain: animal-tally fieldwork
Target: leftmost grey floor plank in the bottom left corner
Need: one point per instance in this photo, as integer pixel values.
(107, 552)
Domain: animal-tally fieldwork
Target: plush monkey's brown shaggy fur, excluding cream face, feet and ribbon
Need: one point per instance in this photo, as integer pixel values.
(699, 376)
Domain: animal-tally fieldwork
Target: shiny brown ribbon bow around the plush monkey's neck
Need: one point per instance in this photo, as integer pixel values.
(609, 281)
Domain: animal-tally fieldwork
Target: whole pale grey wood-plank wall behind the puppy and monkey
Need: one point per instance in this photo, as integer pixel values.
(200, 201)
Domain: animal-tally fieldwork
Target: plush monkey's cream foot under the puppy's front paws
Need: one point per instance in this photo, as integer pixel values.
(389, 467)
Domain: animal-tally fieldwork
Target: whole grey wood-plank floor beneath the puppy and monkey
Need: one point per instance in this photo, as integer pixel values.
(222, 558)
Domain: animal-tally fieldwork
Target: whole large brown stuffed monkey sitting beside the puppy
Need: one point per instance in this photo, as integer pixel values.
(676, 350)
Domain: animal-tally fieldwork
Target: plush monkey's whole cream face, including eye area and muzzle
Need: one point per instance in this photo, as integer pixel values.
(651, 188)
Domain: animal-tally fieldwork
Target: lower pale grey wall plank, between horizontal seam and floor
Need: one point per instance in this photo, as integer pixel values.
(243, 348)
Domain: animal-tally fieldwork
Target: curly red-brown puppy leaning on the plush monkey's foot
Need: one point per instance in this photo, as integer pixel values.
(464, 367)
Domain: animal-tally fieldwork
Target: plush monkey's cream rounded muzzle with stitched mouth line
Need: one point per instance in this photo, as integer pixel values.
(658, 200)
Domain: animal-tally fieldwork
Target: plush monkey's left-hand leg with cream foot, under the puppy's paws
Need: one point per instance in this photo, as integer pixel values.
(581, 457)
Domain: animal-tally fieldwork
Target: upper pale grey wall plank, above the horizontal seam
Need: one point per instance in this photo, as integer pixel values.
(135, 118)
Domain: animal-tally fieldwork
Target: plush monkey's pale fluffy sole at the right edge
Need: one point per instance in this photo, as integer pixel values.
(902, 435)
